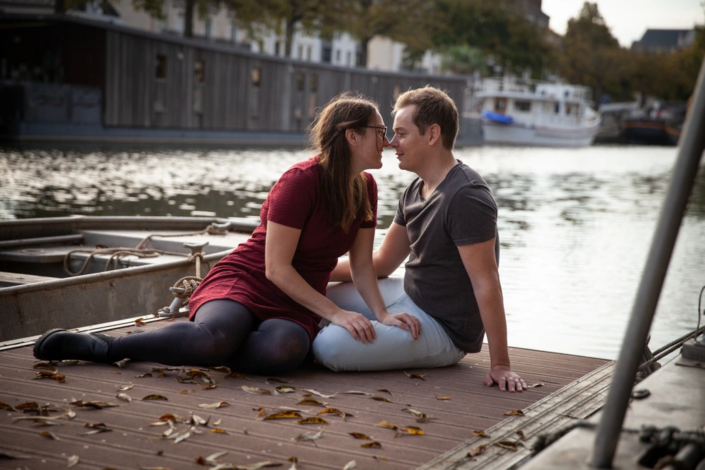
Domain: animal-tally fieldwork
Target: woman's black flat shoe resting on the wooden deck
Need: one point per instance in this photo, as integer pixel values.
(59, 344)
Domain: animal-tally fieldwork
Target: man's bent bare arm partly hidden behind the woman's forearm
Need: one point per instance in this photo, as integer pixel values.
(388, 257)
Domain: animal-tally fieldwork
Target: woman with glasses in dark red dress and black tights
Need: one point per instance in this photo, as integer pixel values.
(258, 310)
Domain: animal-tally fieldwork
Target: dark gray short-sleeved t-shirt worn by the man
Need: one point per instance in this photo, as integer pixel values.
(461, 211)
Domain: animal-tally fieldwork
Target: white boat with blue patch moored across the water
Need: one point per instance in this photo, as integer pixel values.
(537, 114)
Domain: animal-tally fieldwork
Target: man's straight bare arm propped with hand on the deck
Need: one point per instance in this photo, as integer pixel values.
(480, 264)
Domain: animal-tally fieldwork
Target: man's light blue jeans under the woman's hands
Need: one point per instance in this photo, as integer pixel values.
(393, 348)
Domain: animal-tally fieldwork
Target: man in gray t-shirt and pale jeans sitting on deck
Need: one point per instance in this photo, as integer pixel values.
(447, 221)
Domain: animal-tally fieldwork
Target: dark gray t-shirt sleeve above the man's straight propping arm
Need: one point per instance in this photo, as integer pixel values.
(472, 216)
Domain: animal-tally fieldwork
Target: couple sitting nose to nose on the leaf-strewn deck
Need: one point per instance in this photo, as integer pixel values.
(259, 309)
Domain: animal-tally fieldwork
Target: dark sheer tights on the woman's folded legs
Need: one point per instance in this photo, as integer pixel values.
(224, 333)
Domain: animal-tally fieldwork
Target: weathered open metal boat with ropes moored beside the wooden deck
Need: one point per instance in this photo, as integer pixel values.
(74, 271)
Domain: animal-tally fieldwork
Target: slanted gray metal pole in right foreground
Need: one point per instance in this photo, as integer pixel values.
(691, 149)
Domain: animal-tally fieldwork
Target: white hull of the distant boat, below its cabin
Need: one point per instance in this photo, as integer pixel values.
(520, 135)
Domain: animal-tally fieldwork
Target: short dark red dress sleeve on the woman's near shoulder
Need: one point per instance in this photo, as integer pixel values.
(292, 199)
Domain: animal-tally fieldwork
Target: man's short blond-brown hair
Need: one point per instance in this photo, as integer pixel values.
(433, 106)
